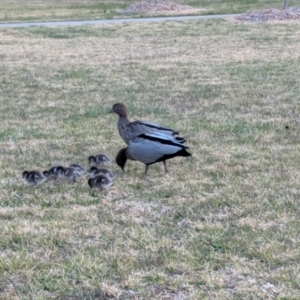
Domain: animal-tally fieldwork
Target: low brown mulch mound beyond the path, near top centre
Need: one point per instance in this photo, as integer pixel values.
(165, 7)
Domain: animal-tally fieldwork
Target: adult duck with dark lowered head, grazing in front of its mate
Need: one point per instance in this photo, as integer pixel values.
(150, 149)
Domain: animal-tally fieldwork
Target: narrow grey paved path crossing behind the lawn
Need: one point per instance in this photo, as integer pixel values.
(116, 21)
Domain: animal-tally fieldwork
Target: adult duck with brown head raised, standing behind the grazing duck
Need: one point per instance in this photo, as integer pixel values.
(129, 130)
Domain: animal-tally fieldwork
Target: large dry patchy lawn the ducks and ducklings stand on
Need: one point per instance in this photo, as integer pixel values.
(223, 224)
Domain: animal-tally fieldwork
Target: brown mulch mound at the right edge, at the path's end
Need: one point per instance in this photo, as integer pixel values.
(272, 14)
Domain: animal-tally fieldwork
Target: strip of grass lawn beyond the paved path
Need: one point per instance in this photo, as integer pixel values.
(54, 10)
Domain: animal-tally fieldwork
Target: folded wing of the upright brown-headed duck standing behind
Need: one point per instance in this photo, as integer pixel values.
(138, 127)
